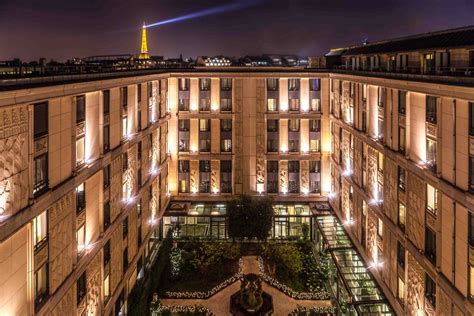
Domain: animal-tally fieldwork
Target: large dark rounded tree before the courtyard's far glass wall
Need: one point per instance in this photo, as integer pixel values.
(250, 217)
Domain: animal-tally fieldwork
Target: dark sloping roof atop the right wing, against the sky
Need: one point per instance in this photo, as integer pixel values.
(443, 39)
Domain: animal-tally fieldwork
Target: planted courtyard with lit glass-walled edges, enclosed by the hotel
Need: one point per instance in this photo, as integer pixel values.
(307, 264)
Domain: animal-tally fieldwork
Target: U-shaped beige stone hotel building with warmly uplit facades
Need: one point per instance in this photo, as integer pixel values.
(90, 163)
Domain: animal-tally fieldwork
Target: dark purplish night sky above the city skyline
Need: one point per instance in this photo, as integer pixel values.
(61, 29)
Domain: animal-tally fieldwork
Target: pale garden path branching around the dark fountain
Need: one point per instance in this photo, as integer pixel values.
(219, 303)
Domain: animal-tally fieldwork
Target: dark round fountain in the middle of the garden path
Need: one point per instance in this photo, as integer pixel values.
(250, 299)
